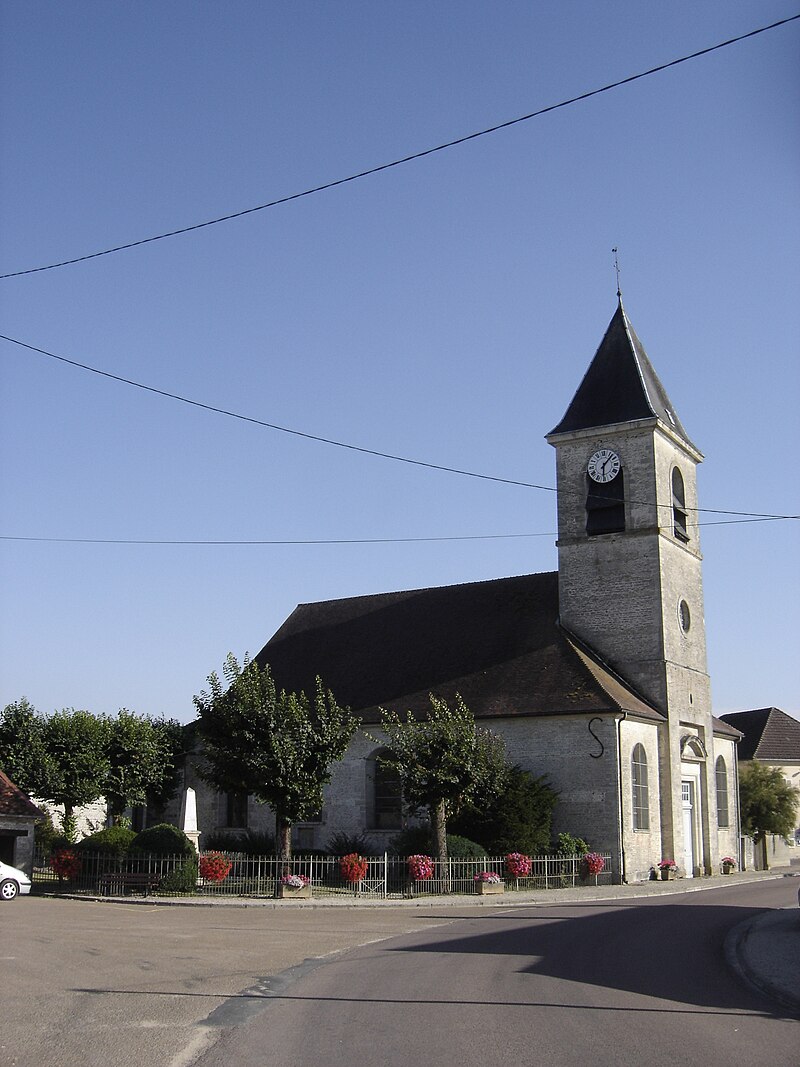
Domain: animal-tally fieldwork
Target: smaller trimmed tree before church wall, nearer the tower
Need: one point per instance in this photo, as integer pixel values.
(444, 762)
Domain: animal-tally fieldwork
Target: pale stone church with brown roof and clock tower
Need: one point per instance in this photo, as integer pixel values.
(595, 676)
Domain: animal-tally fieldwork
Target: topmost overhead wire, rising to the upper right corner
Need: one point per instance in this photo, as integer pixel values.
(406, 160)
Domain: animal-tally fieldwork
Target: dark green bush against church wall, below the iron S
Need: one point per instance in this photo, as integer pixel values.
(518, 819)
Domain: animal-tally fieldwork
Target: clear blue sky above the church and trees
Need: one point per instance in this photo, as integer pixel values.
(444, 311)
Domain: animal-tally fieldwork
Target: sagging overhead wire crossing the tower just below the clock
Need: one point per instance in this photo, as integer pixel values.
(344, 444)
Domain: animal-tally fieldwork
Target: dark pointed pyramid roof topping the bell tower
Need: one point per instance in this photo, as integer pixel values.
(620, 386)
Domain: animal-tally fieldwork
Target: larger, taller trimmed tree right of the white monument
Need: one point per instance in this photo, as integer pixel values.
(275, 745)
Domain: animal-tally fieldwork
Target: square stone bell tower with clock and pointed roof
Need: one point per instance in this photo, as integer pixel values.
(630, 566)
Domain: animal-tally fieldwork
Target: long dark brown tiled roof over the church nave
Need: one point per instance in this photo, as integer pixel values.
(499, 644)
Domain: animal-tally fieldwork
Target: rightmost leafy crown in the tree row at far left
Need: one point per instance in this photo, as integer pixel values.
(141, 759)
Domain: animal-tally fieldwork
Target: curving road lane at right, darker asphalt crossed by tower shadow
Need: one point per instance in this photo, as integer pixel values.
(564, 986)
